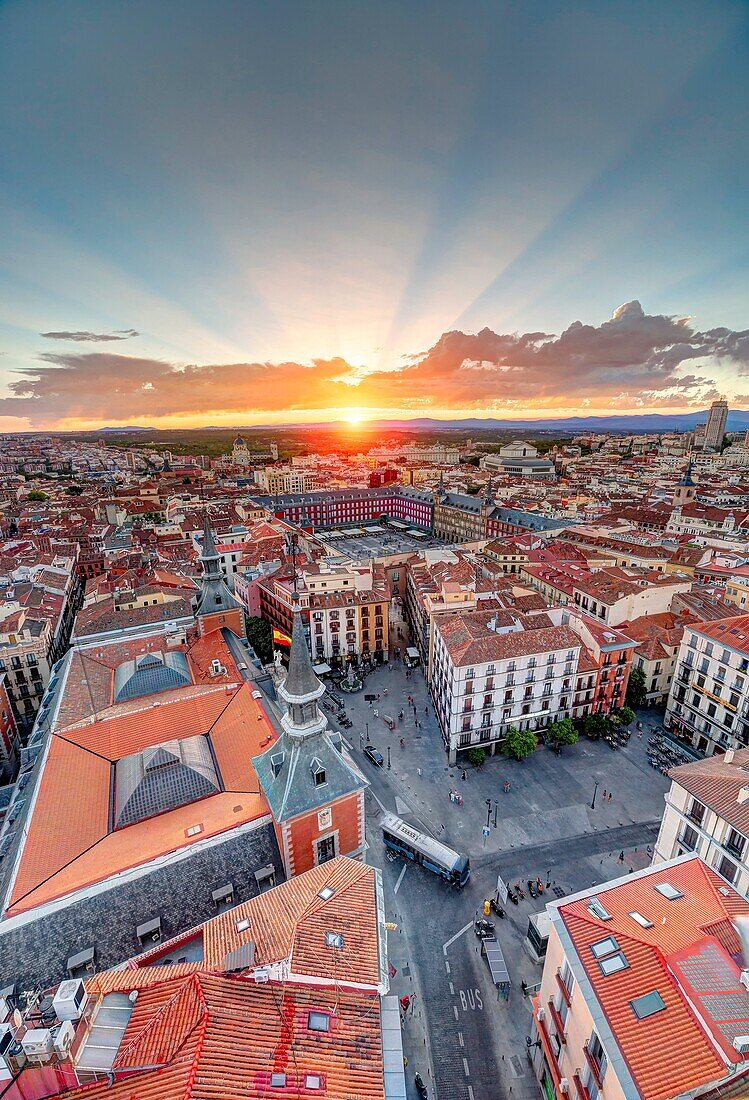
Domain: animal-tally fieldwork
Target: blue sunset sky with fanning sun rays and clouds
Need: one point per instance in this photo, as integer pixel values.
(237, 213)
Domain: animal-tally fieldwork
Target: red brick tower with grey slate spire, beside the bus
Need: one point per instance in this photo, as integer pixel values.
(315, 791)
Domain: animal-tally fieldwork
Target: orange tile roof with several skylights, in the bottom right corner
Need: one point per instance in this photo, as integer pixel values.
(673, 1051)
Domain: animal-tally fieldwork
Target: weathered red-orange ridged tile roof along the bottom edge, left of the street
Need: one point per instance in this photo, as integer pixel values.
(221, 1038)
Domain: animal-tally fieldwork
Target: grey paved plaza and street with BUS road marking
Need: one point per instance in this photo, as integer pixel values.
(467, 1043)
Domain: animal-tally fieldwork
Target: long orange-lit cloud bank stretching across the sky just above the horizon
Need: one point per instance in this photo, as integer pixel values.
(634, 360)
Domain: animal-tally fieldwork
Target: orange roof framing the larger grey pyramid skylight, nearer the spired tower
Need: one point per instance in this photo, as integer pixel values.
(69, 844)
